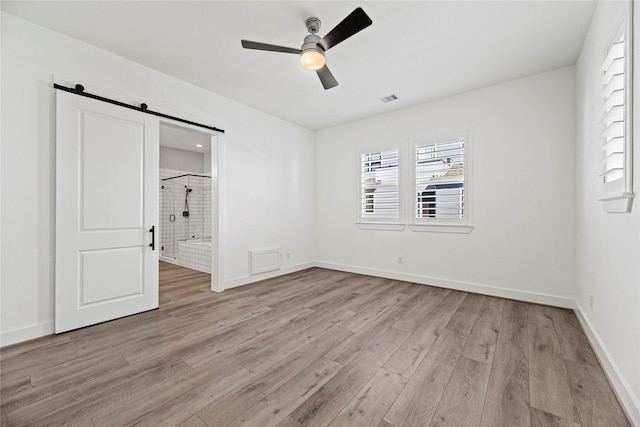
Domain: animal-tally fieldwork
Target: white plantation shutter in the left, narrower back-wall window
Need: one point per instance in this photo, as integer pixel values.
(379, 185)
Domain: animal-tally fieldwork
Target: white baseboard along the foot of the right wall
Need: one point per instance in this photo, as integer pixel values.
(629, 401)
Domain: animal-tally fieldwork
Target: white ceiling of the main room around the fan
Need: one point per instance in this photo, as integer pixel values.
(418, 50)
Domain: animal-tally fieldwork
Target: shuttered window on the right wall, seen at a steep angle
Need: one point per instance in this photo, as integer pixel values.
(616, 123)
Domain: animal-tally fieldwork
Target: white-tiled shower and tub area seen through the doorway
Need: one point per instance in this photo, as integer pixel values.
(185, 209)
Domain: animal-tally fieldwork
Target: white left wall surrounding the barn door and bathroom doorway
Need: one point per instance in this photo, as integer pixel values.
(267, 168)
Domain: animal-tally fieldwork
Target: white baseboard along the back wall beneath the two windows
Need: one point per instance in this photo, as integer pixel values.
(534, 297)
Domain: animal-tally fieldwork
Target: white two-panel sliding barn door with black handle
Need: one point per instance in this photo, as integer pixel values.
(106, 204)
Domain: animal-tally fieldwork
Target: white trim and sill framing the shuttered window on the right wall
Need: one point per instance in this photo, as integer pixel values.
(621, 202)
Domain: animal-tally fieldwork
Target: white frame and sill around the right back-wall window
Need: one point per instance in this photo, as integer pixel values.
(442, 225)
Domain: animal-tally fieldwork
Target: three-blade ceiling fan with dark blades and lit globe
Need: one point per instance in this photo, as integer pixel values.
(313, 49)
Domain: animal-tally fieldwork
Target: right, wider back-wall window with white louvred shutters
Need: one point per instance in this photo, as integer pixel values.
(440, 191)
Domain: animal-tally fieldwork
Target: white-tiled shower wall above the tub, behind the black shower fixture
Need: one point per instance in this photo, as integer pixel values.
(172, 202)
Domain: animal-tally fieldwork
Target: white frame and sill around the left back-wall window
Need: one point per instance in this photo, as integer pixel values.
(389, 224)
